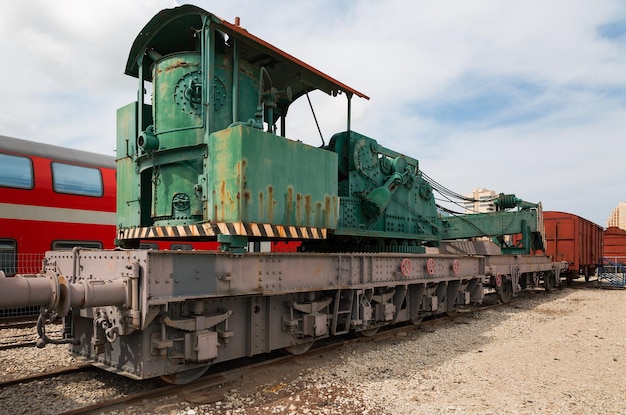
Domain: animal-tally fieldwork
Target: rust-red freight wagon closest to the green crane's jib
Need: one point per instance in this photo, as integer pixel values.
(575, 240)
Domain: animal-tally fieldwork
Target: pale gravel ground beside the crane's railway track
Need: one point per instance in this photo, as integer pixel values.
(557, 353)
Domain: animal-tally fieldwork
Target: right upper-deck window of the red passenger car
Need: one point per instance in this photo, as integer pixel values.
(76, 180)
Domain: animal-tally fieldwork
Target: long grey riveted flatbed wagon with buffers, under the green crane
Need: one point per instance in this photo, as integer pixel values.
(172, 314)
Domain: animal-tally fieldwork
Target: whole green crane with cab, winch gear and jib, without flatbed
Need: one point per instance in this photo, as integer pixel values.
(210, 159)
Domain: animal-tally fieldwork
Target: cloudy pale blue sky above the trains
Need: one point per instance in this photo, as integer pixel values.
(524, 97)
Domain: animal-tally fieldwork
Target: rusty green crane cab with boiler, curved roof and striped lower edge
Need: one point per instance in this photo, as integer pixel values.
(205, 160)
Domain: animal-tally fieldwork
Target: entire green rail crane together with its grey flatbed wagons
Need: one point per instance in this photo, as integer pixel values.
(210, 160)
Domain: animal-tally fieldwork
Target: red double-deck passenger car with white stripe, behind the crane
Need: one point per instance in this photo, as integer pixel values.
(55, 198)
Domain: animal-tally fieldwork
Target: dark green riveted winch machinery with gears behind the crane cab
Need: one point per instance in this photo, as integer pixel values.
(383, 194)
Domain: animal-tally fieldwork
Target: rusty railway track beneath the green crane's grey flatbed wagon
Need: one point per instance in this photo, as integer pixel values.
(225, 375)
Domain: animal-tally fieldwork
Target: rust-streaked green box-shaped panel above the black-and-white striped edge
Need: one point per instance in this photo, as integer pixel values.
(257, 177)
